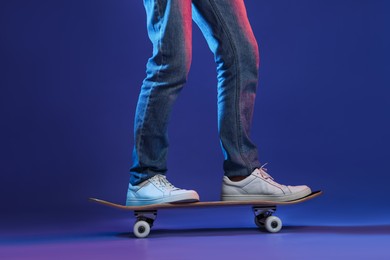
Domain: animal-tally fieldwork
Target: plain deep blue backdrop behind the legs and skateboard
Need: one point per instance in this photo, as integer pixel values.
(70, 76)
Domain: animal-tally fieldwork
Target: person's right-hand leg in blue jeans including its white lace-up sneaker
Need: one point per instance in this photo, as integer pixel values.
(227, 30)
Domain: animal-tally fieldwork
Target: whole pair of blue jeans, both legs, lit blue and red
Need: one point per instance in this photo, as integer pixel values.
(225, 25)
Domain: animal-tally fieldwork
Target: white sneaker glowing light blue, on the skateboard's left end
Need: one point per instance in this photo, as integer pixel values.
(157, 190)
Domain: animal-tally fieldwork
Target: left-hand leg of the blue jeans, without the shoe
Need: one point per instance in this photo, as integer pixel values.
(169, 29)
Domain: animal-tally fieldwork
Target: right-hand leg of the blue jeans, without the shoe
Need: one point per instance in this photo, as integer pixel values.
(229, 35)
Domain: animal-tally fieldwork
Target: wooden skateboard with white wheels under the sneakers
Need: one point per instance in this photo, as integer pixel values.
(263, 211)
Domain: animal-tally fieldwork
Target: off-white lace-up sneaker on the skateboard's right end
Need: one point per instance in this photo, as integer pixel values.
(261, 186)
